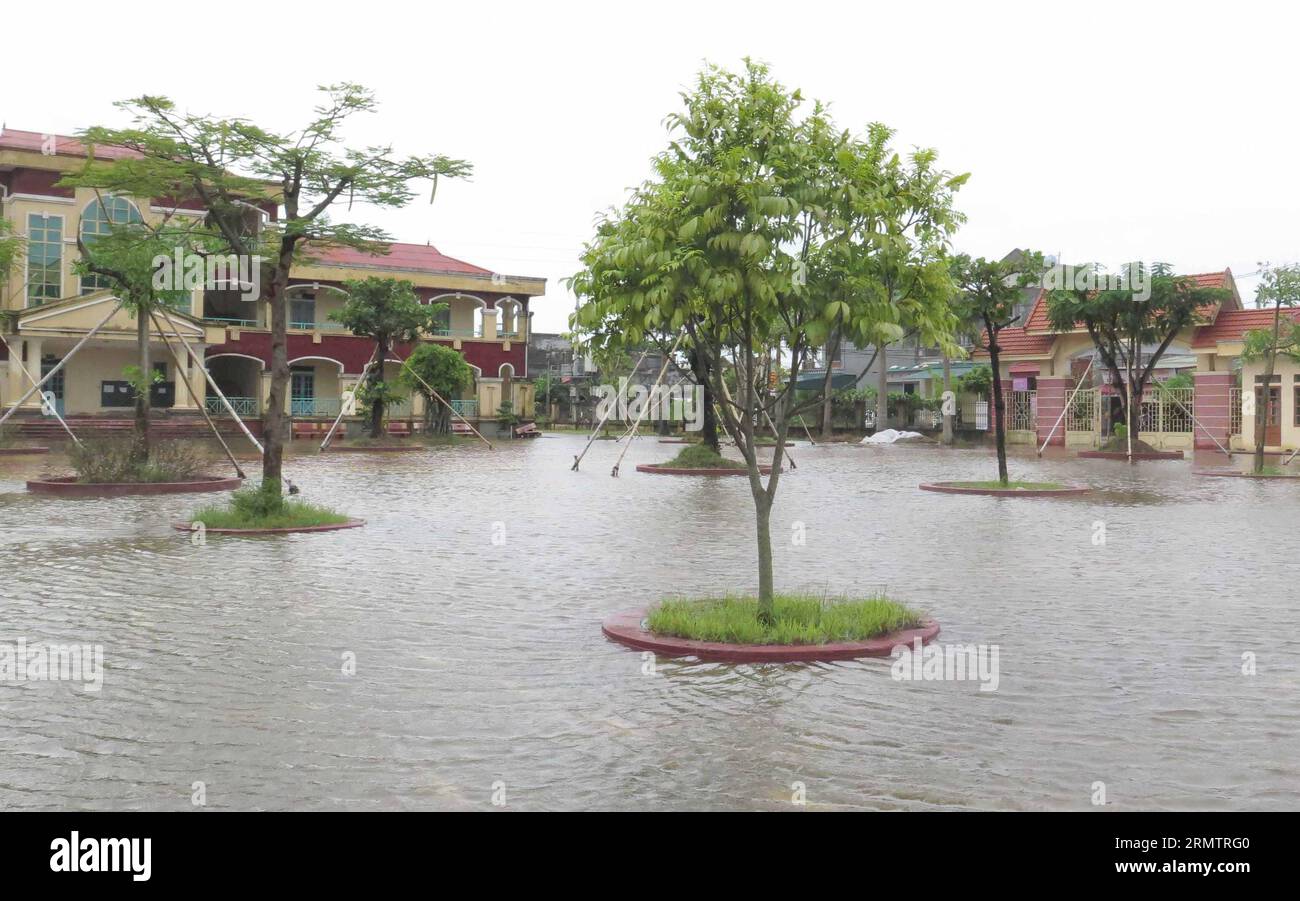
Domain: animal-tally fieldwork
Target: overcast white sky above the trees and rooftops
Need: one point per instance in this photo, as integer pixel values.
(1102, 132)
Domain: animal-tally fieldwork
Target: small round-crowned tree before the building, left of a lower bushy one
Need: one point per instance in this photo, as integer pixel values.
(389, 313)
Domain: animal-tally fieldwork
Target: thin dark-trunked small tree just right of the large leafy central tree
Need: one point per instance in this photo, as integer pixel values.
(987, 293)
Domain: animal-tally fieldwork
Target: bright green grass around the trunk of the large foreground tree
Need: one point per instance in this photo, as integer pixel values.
(800, 620)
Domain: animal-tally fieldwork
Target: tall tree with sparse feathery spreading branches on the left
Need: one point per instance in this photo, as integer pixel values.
(241, 172)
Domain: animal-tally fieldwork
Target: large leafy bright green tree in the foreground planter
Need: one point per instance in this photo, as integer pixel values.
(766, 228)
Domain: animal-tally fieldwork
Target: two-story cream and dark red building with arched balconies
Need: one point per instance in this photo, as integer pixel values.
(46, 310)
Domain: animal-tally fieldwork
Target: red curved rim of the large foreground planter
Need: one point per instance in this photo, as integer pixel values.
(627, 629)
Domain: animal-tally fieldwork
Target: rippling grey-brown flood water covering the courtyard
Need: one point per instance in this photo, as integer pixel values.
(473, 604)
